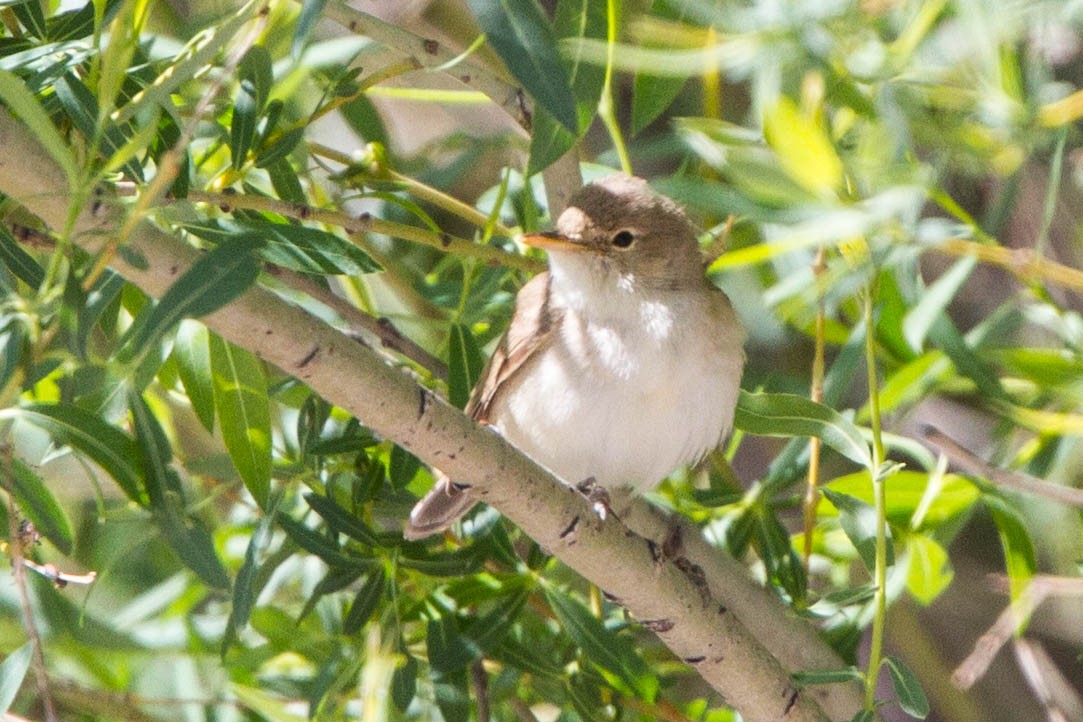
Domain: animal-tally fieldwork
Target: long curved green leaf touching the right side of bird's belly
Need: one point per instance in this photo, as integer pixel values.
(789, 415)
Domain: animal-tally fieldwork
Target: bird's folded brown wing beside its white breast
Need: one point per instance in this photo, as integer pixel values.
(532, 323)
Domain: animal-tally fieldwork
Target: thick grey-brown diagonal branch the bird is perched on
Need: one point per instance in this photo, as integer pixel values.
(703, 632)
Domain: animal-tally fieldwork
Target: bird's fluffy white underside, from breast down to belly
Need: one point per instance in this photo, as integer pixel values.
(629, 395)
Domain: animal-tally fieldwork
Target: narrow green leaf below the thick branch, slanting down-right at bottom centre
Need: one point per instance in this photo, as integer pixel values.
(604, 648)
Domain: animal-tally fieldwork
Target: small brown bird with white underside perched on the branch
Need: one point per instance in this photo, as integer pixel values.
(621, 363)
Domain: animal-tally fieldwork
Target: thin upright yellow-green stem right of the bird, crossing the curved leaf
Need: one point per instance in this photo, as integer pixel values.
(880, 500)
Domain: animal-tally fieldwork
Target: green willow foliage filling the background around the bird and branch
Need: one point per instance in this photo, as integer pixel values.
(245, 534)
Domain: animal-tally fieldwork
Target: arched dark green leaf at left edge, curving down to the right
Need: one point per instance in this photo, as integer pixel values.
(108, 447)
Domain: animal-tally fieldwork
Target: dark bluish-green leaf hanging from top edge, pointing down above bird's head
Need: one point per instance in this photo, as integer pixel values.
(521, 36)
